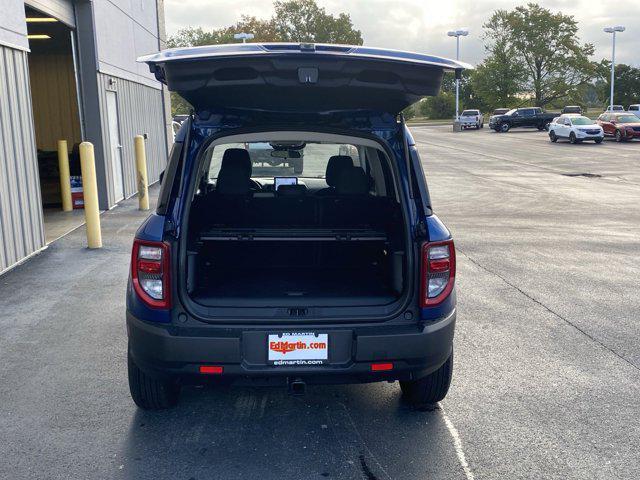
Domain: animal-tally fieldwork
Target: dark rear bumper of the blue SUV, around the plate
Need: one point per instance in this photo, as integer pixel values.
(167, 351)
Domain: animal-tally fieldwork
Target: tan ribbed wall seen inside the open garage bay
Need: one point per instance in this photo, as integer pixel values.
(54, 98)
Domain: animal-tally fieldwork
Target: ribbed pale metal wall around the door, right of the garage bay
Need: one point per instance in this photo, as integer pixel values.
(140, 111)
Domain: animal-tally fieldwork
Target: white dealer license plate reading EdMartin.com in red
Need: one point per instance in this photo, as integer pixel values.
(298, 349)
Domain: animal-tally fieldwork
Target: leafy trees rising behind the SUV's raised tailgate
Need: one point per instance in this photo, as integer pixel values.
(292, 21)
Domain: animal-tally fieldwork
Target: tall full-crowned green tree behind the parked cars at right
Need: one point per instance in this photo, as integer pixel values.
(546, 45)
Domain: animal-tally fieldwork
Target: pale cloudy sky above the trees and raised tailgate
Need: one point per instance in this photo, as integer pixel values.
(421, 26)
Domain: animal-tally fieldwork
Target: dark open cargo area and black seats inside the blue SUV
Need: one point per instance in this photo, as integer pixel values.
(298, 245)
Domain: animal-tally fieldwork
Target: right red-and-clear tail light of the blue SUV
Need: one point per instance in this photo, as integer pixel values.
(438, 272)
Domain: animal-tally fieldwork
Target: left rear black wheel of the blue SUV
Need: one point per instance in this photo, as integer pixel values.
(150, 393)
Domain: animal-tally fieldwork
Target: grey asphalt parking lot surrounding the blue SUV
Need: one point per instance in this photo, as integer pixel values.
(547, 367)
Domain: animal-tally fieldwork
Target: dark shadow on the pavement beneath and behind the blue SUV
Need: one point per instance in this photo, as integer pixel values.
(339, 432)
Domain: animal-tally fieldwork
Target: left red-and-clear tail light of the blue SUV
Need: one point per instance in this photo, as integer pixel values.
(150, 273)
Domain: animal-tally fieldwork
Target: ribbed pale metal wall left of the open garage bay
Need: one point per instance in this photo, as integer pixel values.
(21, 227)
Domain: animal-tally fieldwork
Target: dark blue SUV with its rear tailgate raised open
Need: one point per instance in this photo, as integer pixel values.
(253, 271)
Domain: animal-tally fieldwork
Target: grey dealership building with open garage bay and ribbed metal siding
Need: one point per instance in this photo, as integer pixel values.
(68, 71)
